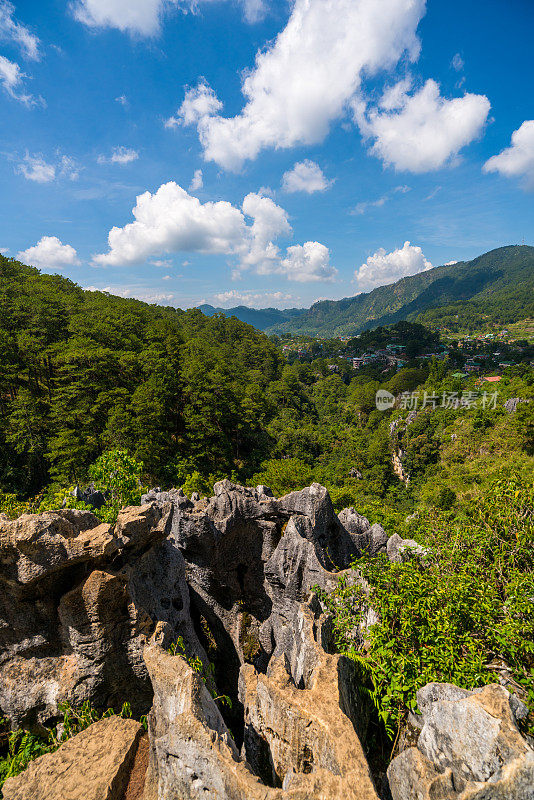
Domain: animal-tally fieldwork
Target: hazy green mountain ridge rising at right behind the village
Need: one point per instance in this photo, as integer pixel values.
(501, 281)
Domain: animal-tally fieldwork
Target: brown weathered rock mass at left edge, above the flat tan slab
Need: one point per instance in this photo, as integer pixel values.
(73, 616)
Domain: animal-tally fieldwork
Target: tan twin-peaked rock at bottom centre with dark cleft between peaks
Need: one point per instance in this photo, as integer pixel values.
(301, 733)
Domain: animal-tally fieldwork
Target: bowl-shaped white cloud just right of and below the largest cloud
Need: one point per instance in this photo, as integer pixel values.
(424, 131)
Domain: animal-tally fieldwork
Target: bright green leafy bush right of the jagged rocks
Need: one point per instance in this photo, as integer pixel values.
(459, 616)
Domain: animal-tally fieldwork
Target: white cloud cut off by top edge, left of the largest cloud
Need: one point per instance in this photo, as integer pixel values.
(143, 17)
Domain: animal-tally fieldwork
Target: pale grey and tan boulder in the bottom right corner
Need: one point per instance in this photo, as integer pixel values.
(469, 748)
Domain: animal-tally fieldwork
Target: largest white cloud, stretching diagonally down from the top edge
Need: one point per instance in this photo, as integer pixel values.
(294, 92)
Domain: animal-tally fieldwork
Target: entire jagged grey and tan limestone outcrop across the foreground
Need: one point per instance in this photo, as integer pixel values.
(88, 611)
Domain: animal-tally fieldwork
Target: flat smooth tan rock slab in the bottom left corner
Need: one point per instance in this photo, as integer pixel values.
(93, 765)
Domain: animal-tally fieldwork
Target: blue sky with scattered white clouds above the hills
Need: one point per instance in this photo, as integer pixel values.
(262, 153)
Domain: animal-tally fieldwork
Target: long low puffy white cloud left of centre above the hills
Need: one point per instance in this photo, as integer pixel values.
(171, 220)
